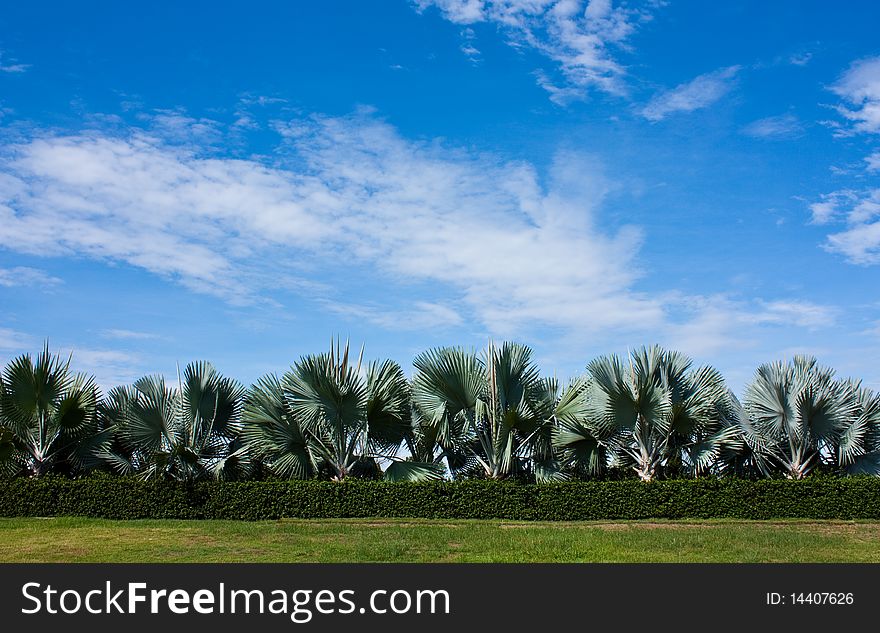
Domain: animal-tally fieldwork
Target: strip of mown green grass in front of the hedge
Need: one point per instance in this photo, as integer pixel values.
(379, 540)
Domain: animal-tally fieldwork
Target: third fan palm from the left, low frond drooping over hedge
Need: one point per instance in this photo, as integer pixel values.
(329, 417)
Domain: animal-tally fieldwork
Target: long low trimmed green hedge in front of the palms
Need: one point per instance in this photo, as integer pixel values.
(123, 498)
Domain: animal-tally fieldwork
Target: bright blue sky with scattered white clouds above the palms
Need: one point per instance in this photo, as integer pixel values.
(242, 182)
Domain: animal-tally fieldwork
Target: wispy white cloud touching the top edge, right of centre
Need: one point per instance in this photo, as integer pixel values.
(582, 38)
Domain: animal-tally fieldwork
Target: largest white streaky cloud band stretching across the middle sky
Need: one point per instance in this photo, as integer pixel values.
(474, 238)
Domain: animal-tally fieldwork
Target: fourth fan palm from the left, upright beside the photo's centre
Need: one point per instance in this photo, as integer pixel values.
(491, 414)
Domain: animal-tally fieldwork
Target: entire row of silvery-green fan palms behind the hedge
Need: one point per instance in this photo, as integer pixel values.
(487, 414)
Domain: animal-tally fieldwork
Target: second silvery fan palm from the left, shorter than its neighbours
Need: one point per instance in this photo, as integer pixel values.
(185, 433)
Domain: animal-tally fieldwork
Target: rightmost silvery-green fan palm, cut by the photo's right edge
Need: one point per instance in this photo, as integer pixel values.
(802, 418)
